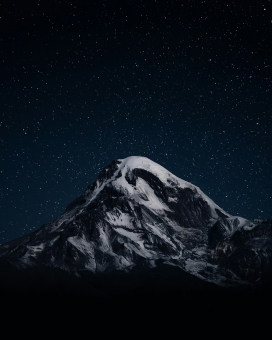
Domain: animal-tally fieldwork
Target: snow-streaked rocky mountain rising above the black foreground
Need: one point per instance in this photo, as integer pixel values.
(139, 214)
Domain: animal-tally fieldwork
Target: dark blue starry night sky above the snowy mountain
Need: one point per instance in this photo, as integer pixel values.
(184, 83)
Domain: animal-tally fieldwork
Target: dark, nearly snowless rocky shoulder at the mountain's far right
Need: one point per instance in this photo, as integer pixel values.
(246, 250)
